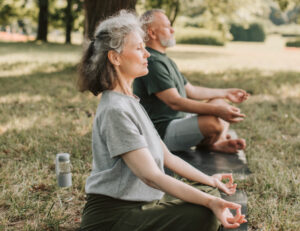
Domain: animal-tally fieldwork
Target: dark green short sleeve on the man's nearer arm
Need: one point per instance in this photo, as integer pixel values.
(158, 78)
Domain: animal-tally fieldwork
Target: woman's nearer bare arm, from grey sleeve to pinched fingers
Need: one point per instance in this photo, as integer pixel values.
(143, 166)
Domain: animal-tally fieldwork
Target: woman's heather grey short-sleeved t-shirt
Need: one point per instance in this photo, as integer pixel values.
(121, 125)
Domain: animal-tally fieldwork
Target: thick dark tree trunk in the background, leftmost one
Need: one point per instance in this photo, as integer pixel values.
(43, 21)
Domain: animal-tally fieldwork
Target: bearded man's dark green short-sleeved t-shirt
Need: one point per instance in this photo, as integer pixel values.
(163, 74)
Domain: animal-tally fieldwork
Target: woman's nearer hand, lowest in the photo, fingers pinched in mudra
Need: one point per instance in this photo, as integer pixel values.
(221, 210)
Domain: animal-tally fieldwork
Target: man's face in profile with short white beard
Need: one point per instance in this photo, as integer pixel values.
(165, 32)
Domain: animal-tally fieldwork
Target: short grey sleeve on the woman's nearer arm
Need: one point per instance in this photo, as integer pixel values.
(121, 133)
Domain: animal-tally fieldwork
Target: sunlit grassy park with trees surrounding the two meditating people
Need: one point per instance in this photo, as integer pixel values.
(252, 45)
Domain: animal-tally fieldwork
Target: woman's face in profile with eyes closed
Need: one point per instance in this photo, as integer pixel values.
(133, 58)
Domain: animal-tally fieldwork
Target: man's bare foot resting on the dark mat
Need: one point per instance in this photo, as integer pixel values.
(229, 146)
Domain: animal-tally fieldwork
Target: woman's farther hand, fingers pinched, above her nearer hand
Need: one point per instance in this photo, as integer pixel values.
(229, 188)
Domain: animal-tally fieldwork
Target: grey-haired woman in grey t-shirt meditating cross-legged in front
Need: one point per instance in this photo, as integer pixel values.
(125, 190)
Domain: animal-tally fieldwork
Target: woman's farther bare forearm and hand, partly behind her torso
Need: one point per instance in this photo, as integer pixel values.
(182, 168)
